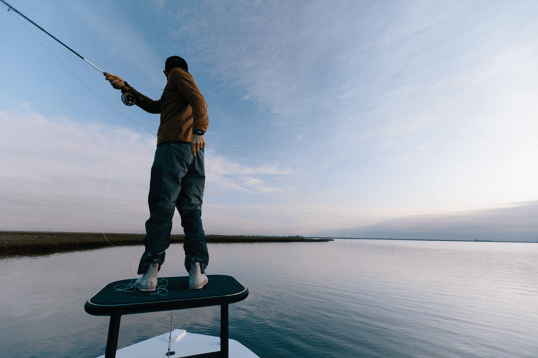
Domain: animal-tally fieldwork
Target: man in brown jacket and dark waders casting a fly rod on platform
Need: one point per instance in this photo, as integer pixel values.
(177, 174)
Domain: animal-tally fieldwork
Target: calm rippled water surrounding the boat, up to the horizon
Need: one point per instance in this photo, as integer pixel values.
(352, 298)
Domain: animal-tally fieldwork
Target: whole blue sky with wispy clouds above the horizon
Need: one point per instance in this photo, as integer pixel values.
(333, 118)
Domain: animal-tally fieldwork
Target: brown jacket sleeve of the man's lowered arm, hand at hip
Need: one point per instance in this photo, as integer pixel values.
(185, 85)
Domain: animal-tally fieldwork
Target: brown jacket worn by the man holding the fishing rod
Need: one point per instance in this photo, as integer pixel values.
(182, 107)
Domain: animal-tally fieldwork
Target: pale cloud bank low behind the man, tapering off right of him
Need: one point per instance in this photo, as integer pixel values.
(56, 174)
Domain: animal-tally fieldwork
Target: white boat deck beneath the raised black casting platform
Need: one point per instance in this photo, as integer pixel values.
(188, 344)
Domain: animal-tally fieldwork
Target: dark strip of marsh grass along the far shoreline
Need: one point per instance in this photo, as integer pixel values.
(26, 243)
